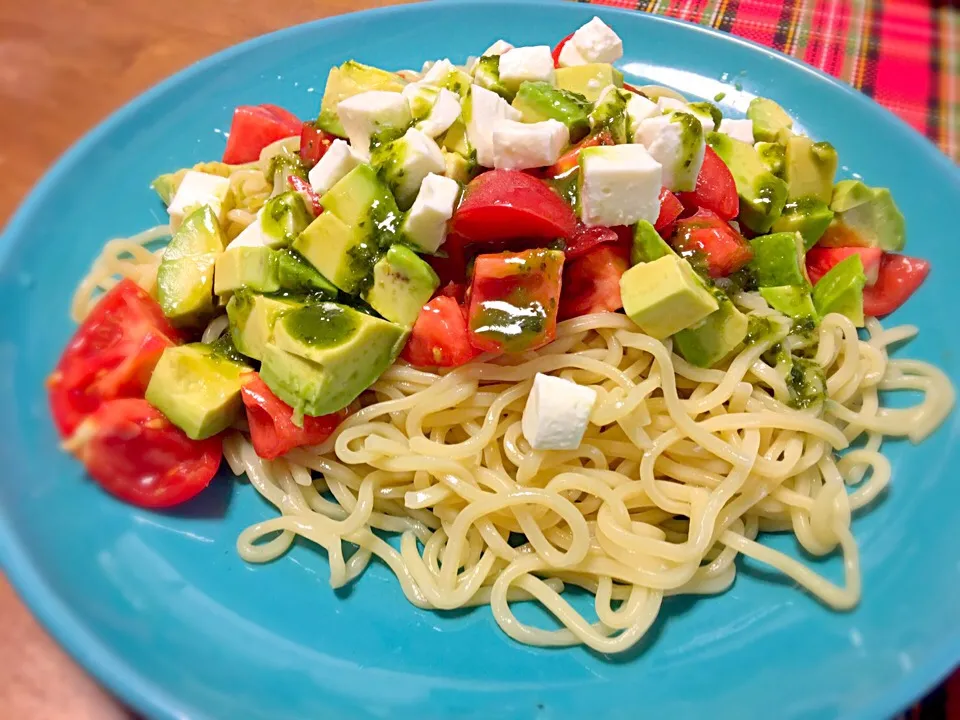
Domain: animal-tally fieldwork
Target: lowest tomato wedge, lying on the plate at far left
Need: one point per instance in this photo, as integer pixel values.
(136, 454)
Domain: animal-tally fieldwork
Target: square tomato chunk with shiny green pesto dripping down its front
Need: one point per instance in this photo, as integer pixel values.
(514, 300)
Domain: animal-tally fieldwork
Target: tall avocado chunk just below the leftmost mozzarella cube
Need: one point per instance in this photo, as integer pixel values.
(185, 275)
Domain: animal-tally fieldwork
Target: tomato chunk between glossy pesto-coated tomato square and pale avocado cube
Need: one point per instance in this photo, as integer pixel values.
(591, 284)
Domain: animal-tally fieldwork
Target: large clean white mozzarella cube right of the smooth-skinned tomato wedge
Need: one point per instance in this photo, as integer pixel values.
(619, 185)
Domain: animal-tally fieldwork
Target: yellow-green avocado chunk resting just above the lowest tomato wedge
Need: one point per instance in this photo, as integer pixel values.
(197, 389)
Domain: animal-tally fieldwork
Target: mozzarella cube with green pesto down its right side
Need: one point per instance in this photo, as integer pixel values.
(676, 141)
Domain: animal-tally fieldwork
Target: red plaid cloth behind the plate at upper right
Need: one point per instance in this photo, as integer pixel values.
(905, 54)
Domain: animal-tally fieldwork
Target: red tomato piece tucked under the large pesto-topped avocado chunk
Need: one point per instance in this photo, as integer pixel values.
(272, 429)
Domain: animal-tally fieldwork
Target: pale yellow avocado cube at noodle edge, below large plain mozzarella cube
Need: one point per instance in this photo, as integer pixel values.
(665, 296)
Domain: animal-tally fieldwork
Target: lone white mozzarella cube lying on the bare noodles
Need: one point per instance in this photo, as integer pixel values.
(557, 413)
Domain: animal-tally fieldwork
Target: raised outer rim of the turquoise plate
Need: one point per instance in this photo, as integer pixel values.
(123, 679)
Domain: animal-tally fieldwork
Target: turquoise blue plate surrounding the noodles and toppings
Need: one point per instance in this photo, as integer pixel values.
(161, 609)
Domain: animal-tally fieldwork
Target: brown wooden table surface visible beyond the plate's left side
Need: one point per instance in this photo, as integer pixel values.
(64, 65)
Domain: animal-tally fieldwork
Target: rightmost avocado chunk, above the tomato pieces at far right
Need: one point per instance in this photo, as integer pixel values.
(870, 215)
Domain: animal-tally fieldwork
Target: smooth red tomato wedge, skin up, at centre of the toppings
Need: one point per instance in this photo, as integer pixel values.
(502, 205)
